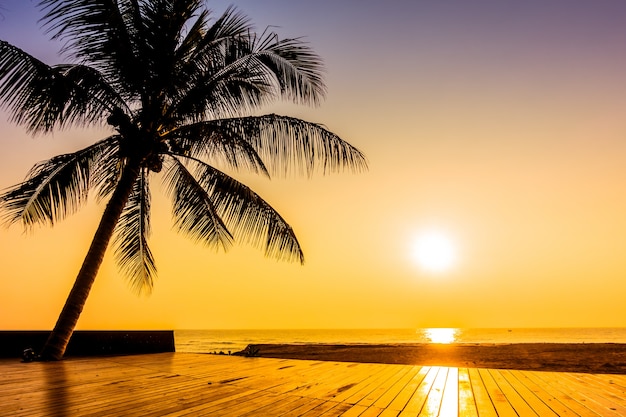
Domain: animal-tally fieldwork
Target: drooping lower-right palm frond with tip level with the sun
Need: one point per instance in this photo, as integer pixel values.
(249, 217)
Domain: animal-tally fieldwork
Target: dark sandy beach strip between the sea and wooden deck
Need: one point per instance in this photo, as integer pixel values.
(559, 357)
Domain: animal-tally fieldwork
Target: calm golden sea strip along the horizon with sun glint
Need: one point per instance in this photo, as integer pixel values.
(236, 340)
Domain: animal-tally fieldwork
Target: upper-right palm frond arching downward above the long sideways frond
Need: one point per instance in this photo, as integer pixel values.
(241, 72)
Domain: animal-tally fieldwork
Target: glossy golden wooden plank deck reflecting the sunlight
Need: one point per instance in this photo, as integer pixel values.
(186, 384)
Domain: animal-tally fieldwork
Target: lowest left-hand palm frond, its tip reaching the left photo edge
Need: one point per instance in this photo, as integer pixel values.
(54, 188)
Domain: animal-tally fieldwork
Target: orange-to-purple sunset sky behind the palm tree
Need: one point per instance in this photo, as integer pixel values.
(496, 124)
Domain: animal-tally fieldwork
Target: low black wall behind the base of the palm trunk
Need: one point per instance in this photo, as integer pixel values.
(91, 342)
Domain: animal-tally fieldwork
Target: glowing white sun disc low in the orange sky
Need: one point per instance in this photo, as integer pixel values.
(434, 251)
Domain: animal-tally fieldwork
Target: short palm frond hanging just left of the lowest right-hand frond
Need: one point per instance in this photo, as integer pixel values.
(193, 210)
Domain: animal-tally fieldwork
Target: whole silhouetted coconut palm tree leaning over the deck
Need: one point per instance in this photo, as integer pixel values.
(179, 91)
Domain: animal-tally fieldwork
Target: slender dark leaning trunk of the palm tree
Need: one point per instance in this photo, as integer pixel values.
(55, 346)
